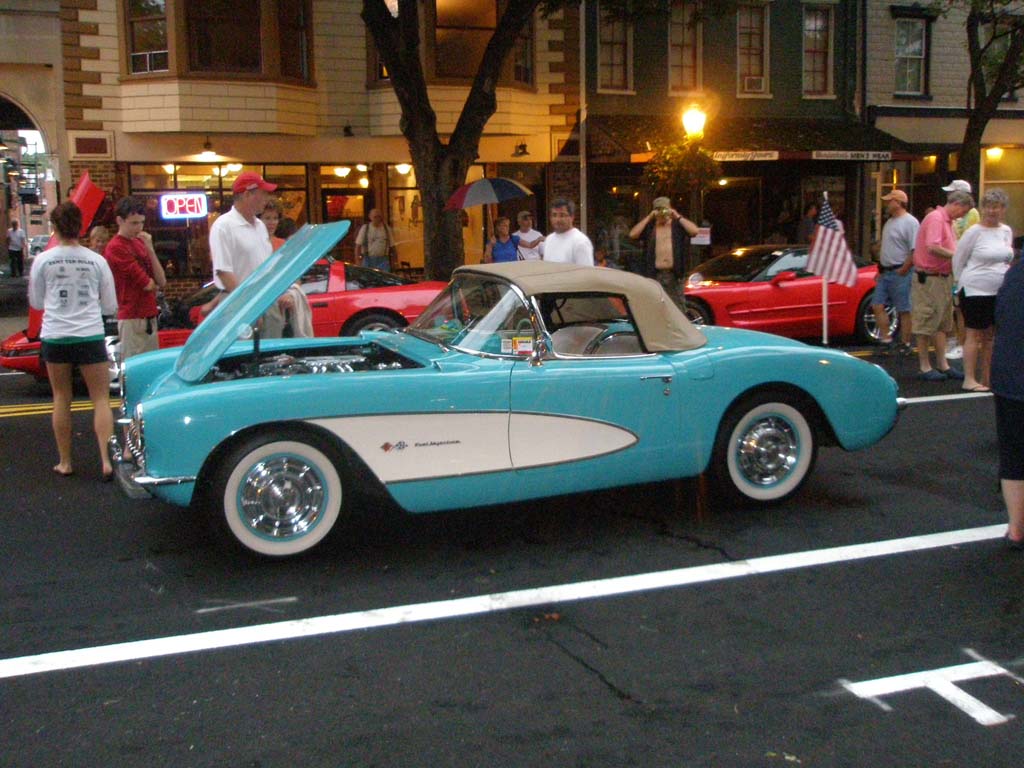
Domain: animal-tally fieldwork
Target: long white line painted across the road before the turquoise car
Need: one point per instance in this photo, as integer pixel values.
(394, 616)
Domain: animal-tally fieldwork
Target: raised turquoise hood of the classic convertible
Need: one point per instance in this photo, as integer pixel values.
(242, 308)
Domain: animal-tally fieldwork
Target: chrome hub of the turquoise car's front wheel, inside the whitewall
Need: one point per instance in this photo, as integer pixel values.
(282, 497)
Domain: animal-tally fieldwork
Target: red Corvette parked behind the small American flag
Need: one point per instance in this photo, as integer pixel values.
(769, 288)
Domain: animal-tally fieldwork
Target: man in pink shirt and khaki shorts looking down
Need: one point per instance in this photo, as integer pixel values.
(932, 290)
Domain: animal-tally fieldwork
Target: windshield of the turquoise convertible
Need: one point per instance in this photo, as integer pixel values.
(478, 314)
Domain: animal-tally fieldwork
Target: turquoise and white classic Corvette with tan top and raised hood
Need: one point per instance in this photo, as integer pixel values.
(520, 381)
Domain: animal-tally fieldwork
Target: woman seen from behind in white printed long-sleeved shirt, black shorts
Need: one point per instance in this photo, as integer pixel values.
(75, 288)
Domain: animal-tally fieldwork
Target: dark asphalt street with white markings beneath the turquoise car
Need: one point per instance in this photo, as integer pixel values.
(756, 668)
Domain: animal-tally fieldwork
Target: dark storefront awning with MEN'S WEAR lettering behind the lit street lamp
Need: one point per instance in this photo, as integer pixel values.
(624, 139)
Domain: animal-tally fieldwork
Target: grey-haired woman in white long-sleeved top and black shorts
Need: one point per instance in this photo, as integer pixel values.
(984, 255)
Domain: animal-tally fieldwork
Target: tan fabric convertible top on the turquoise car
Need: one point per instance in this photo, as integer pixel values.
(663, 327)
